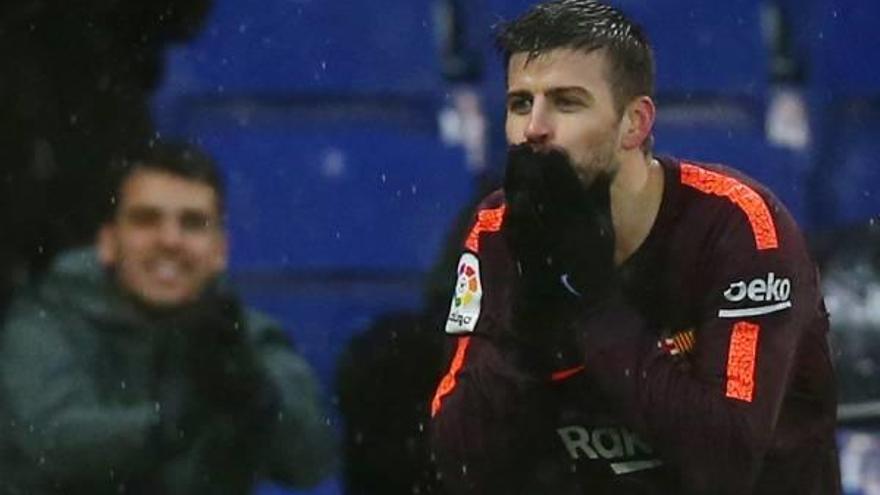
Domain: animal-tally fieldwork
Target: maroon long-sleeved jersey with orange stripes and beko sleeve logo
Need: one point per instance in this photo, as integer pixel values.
(710, 374)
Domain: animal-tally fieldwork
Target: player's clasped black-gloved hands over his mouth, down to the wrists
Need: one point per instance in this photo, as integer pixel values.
(561, 236)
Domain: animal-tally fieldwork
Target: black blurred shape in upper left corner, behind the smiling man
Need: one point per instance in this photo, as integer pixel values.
(76, 79)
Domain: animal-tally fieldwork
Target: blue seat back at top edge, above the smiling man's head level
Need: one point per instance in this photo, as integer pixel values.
(283, 46)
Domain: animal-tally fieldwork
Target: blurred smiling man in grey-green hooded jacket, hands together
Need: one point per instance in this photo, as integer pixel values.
(131, 368)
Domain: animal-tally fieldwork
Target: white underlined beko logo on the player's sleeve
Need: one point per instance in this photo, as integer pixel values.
(763, 296)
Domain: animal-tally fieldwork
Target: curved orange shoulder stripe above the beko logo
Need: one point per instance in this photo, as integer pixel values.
(749, 201)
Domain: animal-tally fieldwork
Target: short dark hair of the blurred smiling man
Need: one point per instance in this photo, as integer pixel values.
(177, 158)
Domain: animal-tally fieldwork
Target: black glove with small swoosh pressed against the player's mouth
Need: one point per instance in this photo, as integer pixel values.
(559, 231)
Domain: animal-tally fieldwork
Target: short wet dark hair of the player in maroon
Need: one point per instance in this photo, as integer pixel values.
(585, 25)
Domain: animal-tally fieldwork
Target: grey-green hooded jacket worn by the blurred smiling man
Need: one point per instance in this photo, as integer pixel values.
(86, 377)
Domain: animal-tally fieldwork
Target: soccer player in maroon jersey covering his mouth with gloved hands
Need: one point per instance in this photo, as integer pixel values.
(625, 323)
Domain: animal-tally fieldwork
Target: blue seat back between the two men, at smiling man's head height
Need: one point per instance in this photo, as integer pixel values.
(336, 196)
